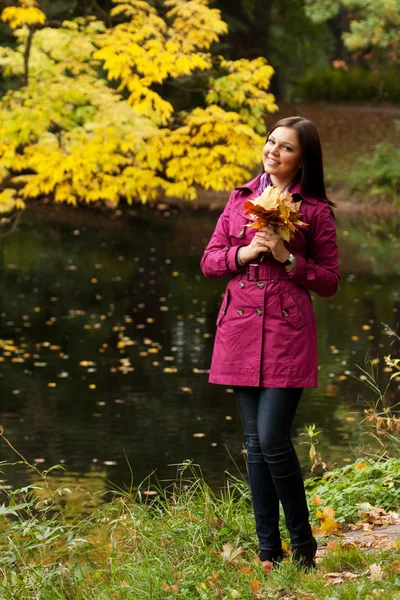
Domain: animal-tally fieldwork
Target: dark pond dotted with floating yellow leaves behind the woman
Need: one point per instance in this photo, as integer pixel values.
(108, 328)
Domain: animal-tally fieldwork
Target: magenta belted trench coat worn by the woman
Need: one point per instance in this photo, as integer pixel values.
(266, 334)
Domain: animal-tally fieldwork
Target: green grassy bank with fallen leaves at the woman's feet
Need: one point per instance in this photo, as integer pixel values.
(185, 541)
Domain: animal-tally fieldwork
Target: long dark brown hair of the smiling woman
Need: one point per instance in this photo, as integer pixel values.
(312, 171)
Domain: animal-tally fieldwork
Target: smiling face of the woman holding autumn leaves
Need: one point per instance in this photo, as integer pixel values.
(282, 154)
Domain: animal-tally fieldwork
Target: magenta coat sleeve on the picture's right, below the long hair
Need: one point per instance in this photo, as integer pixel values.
(319, 272)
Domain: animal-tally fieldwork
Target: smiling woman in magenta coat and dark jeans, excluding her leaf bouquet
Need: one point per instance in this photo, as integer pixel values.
(265, 345)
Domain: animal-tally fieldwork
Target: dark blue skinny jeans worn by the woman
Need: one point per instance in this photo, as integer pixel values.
(274, 469)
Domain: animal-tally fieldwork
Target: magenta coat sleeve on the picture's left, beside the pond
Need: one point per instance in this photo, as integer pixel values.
(219, 257)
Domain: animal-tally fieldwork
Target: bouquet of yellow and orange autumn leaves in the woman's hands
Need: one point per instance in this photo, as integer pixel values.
(276, 209)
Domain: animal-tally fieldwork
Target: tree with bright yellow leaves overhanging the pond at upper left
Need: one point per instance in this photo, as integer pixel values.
(73, 135)
